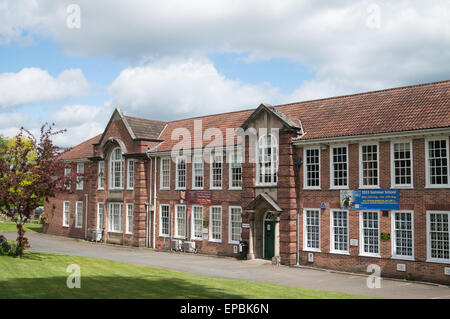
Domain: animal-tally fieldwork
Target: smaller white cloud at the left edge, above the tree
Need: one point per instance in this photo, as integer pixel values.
(31, 85)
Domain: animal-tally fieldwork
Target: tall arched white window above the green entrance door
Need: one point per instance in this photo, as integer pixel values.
(267, 165)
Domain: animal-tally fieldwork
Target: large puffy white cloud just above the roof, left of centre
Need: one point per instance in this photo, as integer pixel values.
(181, 88)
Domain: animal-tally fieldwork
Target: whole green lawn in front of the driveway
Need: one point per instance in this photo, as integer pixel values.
(43, 275)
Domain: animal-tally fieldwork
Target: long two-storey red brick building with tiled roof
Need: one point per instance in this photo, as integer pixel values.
(339, 183)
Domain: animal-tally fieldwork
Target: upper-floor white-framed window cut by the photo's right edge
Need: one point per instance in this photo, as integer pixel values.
(436, 162)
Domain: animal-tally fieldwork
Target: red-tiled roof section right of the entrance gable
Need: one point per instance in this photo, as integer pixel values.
(423, 106)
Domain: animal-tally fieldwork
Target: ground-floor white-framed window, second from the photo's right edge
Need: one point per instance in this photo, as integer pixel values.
(402, 235)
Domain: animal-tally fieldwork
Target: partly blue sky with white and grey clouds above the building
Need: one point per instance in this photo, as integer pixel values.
(72, 62)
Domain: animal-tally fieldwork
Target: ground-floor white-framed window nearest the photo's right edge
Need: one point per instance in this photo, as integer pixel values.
(438, 236)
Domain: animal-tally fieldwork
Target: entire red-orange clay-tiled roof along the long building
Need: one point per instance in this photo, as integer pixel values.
(416, 107)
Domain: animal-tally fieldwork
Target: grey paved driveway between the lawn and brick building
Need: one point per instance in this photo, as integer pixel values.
(254, 270)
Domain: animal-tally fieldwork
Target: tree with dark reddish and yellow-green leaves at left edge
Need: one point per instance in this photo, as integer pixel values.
(30, 169)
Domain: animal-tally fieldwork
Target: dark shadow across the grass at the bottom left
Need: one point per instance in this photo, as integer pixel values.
(110, 287)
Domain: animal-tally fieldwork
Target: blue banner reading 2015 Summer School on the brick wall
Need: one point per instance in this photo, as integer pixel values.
(380, 199)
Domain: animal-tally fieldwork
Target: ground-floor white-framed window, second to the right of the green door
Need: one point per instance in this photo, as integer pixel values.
(339, 231)
